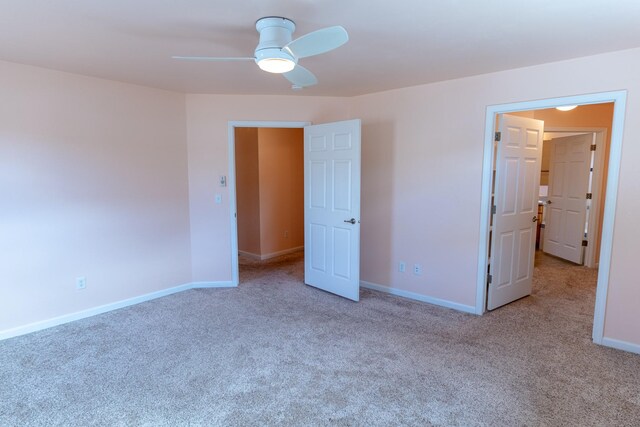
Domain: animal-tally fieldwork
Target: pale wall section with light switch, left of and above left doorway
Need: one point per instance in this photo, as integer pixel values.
(208, 119)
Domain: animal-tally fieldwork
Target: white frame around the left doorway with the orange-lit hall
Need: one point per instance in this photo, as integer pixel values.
(231, 181)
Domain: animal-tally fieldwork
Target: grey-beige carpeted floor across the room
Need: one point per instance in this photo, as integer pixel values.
(276, 352)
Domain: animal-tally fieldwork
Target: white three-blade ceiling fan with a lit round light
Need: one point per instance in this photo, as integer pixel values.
(277, 53)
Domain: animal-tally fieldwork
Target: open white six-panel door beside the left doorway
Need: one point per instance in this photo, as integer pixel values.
(332, 207)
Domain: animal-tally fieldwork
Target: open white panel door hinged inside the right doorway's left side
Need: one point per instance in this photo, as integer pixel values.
(513, 236)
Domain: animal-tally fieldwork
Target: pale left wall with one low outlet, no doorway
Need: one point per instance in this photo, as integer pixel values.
(93, 183)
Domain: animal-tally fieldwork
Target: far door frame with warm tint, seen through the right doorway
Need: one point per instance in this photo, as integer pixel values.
(596, 187)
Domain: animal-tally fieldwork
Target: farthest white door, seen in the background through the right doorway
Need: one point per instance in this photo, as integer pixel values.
(565, 217)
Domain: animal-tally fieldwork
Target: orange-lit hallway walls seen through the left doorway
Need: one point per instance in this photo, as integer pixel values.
(269, 191)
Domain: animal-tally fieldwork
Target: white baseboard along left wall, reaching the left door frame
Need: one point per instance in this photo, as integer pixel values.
(66, 318)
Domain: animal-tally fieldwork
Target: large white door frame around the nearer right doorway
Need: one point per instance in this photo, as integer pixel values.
(619, 99)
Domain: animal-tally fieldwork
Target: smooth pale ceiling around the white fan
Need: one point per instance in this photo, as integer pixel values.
(392, 43)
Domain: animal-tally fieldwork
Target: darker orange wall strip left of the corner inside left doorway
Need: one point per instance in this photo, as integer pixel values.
(248, 189)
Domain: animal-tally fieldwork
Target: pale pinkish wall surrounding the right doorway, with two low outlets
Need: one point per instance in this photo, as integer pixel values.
(422, 167)
